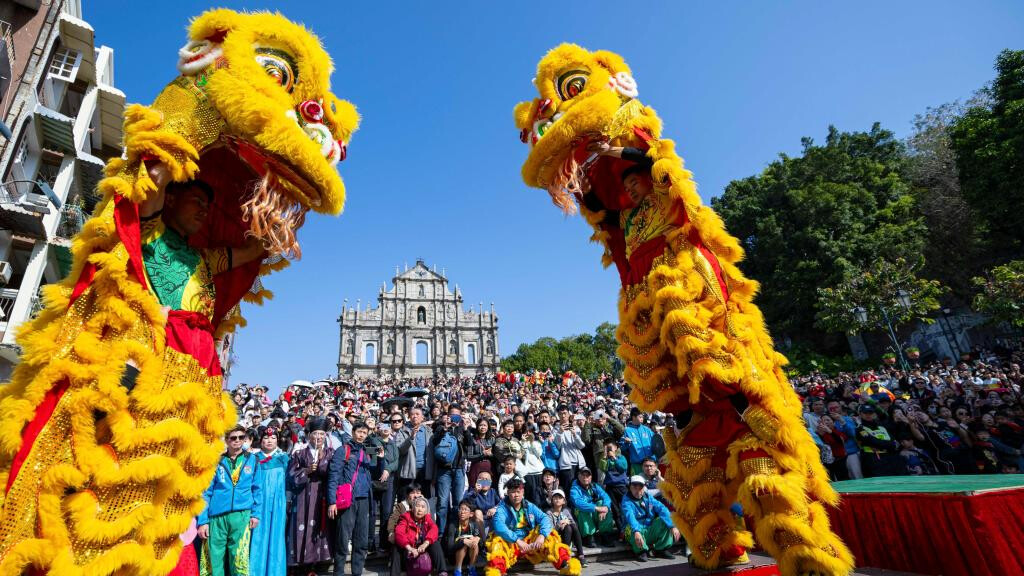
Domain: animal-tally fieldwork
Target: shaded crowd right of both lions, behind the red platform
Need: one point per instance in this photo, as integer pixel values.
(933, 419)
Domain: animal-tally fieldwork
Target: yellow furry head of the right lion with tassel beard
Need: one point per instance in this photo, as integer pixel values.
(580, 92)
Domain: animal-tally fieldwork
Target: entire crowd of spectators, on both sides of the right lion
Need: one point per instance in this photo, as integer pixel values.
(422, 473)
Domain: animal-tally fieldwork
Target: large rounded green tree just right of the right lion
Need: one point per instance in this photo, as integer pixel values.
(814, 221)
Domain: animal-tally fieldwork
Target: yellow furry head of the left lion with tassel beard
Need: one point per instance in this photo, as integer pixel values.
(269, 80)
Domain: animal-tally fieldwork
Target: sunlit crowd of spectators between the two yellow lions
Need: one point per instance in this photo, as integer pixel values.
(437, 467)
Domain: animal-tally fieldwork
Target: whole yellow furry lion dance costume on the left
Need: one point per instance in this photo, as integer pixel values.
(111, 428)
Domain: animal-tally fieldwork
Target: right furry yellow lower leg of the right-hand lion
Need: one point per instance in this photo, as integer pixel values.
(794, 530)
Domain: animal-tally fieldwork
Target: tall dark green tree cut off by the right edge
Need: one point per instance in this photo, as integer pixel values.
(989, 141)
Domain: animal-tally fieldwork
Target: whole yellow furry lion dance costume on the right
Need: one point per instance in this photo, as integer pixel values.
(693, 341)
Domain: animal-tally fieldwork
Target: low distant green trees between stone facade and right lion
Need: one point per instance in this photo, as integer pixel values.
(588, 355)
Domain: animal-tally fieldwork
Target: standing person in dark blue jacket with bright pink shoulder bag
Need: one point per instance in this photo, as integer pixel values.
(354, 464)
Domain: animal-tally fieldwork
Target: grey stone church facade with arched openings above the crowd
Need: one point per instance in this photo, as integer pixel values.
(418, 330)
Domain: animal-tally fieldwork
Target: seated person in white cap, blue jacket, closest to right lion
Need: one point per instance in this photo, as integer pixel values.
(648, 523)
